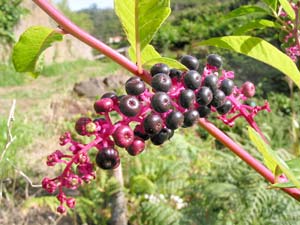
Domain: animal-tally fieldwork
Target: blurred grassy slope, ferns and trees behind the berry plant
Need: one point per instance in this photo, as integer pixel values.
(208, 185)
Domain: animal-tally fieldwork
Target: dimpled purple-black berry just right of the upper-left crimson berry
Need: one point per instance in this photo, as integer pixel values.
(129, 105)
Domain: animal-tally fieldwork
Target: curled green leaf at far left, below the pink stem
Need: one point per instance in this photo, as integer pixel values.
(30, 46)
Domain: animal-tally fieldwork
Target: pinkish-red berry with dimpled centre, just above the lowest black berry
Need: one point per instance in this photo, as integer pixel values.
(123, 136)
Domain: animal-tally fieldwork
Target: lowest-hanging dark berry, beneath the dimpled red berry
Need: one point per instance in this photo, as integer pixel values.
(108, 158)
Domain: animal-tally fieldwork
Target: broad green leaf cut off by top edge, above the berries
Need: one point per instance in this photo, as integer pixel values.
(141, 19)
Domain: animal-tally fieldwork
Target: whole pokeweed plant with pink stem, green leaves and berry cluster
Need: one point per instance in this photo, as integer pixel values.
(179, 96)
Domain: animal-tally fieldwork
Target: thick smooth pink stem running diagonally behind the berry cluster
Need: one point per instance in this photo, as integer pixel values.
(72, 29)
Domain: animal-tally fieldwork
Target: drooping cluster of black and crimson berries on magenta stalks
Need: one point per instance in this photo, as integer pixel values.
(179, 99)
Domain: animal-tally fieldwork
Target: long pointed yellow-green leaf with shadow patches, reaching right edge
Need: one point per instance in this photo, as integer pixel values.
(258, 49)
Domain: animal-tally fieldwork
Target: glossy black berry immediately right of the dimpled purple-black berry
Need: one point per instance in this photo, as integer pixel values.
(161, 102)
